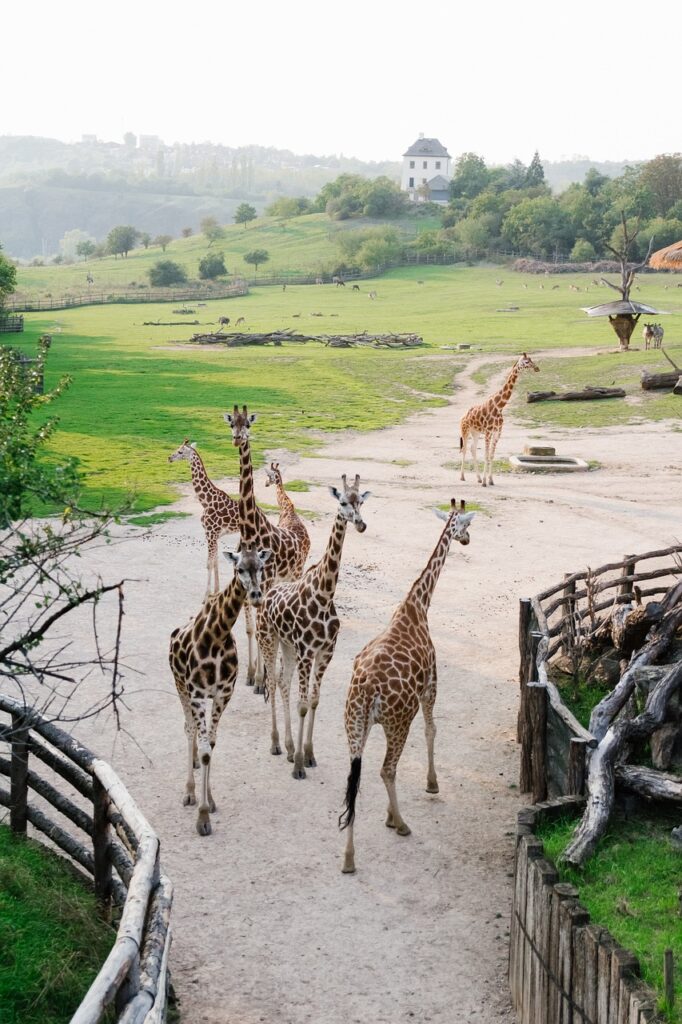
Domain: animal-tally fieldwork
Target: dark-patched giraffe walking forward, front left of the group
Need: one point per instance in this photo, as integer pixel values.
(203, 660)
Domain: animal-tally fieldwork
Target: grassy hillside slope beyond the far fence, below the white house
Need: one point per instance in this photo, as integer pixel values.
(302, 244)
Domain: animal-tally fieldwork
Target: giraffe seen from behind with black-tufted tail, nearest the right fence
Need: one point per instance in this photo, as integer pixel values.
(392, 677)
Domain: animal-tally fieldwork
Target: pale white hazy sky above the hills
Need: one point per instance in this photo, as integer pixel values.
(352, 77)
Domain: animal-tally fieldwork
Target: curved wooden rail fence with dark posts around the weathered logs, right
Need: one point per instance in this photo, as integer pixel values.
(555, 745)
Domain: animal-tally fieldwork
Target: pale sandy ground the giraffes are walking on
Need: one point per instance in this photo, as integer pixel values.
(267, 928)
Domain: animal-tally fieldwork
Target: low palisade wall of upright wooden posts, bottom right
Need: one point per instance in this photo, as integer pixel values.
(563, 968)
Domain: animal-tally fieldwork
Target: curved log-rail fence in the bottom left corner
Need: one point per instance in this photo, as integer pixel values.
(122, 858)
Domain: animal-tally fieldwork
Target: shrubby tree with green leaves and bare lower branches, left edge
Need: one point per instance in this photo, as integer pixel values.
(39, 576)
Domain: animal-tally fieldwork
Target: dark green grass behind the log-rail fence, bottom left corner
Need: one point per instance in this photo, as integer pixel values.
(53, 940)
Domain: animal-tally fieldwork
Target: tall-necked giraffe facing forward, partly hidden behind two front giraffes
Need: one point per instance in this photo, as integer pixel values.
(288, 547)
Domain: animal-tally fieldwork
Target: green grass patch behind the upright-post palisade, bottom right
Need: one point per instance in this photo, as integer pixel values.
(630, 886)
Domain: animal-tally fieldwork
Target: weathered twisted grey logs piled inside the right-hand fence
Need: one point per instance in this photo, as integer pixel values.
(649, 634)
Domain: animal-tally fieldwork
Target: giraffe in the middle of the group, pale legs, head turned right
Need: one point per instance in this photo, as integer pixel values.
(302, 619)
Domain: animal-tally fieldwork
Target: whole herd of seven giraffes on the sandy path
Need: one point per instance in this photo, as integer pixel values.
(296, 619)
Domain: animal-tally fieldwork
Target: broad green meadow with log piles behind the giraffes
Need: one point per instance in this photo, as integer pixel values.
(137, 395)
